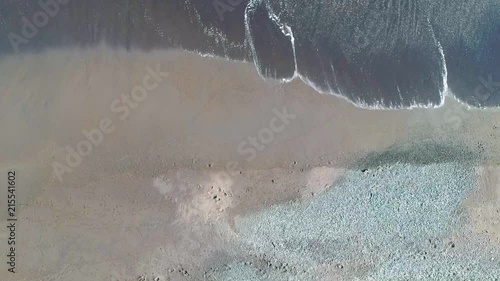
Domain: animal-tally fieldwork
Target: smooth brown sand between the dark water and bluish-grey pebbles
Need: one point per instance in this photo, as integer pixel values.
(134, 164)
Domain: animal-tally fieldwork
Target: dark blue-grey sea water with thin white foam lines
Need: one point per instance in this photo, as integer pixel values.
(374, 53)
